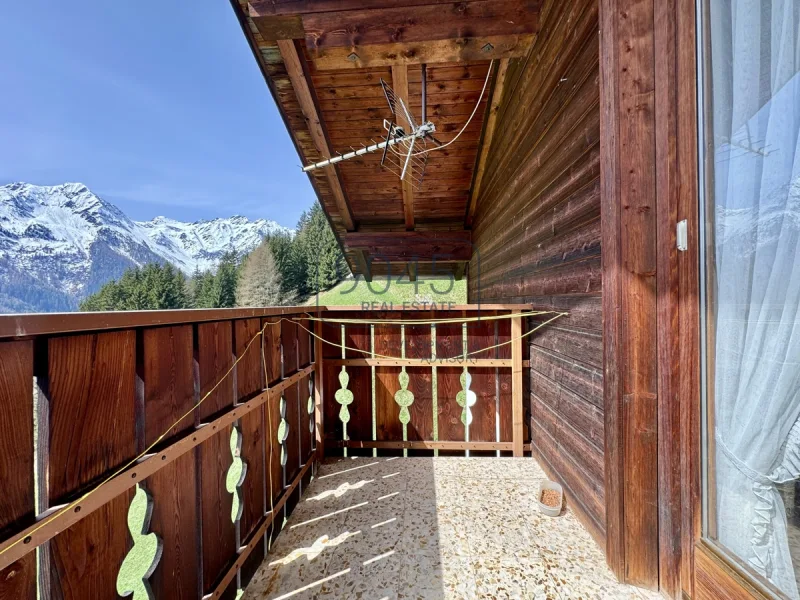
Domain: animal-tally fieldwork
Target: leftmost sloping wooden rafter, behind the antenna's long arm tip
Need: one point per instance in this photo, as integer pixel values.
(305, 97)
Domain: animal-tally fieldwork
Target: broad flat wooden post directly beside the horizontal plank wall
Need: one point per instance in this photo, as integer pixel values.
(629, 172)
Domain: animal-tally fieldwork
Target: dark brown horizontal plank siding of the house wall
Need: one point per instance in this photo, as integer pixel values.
(537, 236)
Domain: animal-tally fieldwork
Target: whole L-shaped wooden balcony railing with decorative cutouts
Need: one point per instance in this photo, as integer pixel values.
(96, 409)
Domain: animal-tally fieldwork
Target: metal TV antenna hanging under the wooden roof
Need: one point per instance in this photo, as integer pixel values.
(405, 149)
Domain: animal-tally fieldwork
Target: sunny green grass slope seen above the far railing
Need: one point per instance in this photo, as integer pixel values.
(394, 293)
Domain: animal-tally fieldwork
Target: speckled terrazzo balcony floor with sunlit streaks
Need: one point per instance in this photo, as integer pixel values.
(385, 528)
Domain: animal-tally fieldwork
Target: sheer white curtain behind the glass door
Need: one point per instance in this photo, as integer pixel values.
(755, 59)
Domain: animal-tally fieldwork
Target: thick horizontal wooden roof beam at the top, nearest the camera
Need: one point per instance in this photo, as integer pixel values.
(355, 34)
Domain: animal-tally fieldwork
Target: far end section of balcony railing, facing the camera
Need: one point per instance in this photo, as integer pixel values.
(374, 413)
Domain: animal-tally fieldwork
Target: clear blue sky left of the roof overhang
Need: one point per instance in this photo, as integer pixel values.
(157, 106)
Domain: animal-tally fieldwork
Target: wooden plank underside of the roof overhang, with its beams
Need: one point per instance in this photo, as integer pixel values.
(324, 61)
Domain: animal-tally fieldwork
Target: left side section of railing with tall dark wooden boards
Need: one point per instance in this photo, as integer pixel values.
(94, 400)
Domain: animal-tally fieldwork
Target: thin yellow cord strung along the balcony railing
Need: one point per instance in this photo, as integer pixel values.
(161, 437)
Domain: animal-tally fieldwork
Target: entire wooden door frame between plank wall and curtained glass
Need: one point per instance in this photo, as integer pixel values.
(651, 293)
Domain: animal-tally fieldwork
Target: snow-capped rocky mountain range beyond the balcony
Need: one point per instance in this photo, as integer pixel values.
(60, 243)
